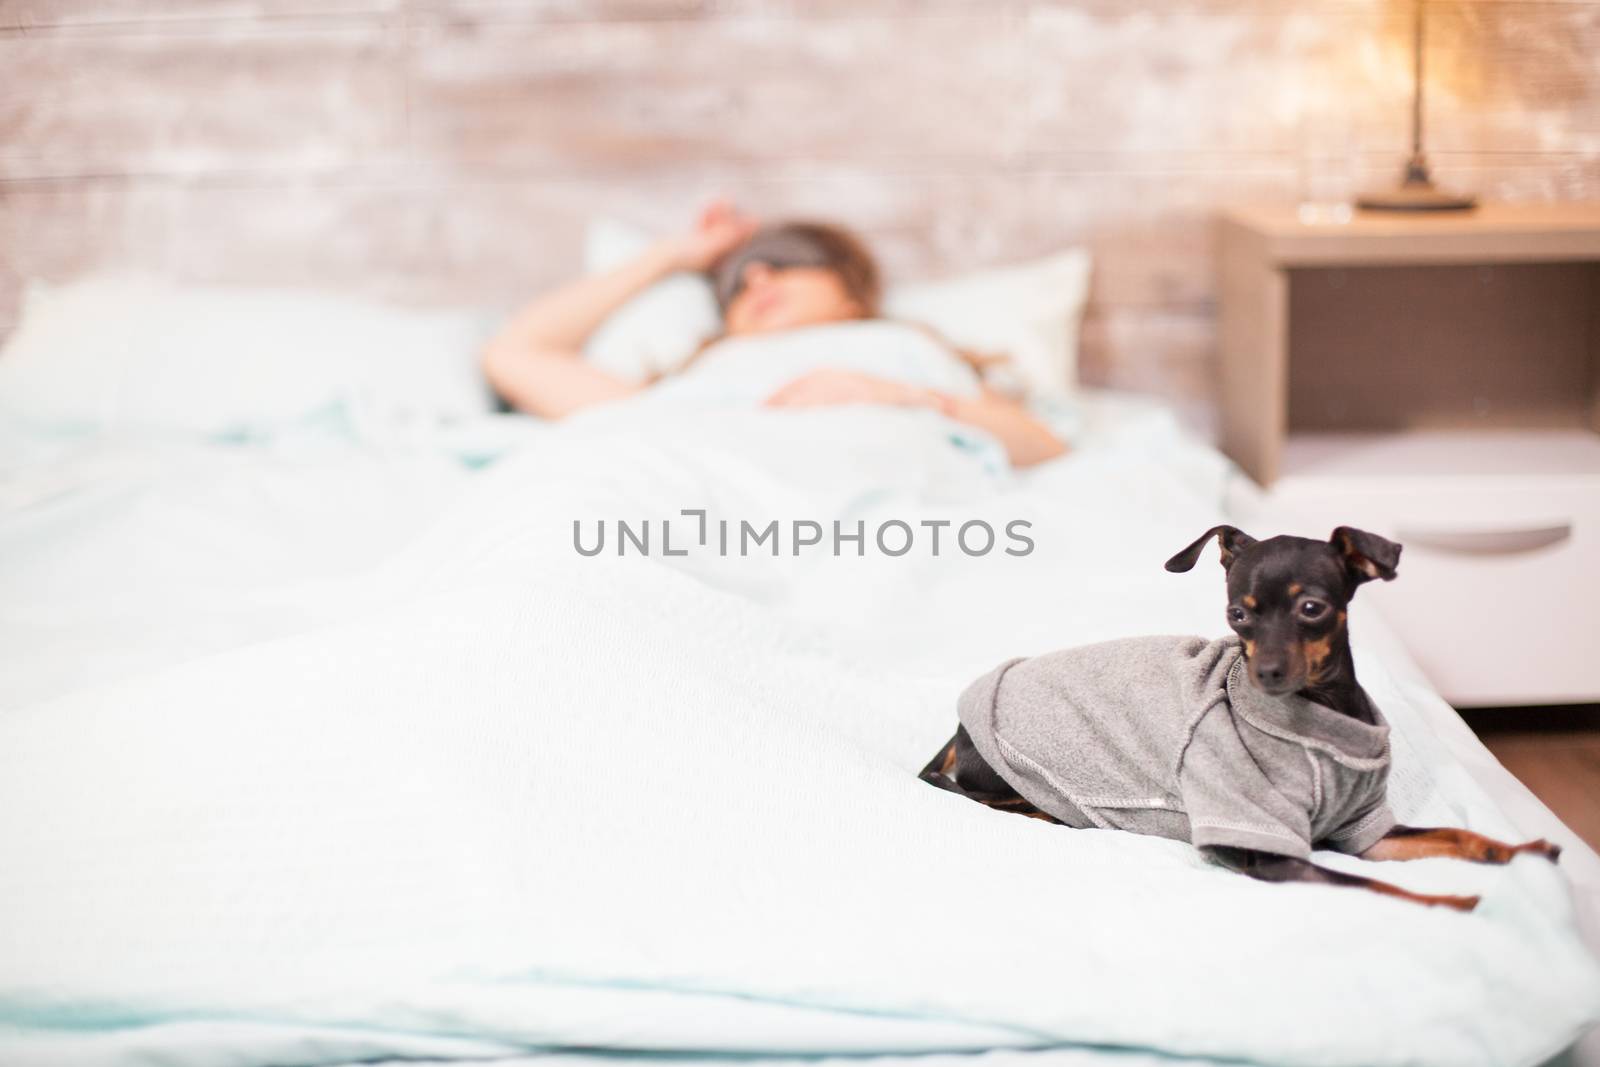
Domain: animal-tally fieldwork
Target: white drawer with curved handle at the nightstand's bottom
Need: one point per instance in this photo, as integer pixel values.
(1500, 578)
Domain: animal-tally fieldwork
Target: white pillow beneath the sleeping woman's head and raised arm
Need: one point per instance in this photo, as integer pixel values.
(1030, 313)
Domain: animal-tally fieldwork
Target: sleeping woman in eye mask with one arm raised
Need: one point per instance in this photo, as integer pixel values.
(778, 289)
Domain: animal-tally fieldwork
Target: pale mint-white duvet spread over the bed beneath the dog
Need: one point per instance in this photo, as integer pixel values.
(495, 797)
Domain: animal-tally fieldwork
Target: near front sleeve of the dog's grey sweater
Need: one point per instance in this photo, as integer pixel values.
(1231, 802)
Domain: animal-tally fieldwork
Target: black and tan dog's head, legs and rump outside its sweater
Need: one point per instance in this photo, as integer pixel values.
(1287, 602)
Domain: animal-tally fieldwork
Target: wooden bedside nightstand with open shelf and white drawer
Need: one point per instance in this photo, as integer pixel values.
(1434, 380)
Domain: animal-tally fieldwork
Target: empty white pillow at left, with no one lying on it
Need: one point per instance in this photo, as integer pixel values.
(143, 354)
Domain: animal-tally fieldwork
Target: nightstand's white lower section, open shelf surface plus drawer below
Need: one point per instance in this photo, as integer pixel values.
(1498, 594)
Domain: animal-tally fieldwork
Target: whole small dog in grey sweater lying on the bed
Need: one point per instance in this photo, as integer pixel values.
(1273, 748)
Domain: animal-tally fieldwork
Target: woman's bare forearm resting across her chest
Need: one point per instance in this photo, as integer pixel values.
(1026, 441)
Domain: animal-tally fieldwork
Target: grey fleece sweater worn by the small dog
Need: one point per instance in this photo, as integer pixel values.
(1167, 737)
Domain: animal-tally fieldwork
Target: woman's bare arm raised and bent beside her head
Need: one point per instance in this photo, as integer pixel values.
(537, 364)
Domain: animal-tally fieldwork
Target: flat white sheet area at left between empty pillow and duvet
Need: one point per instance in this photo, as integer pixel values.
(126, 554)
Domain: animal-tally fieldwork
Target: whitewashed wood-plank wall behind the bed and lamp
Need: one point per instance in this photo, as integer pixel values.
(452, 150)
